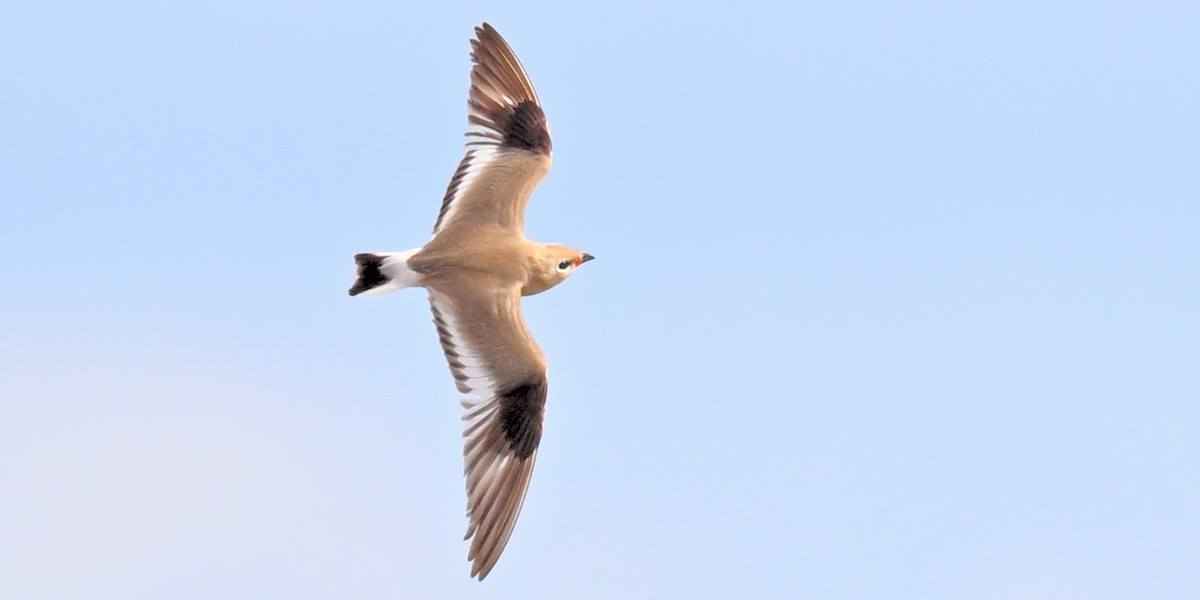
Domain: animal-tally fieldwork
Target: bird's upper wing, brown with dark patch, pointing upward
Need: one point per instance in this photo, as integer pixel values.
(508, 143)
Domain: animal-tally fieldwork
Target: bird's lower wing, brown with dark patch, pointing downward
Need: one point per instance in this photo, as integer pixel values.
(500, 368)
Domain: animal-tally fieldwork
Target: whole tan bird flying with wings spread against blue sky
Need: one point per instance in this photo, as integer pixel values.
(476, 268)
